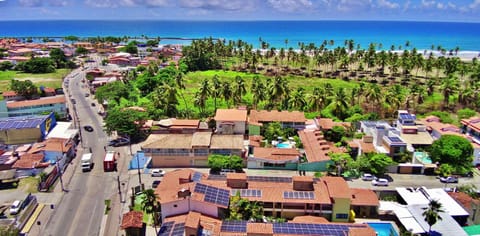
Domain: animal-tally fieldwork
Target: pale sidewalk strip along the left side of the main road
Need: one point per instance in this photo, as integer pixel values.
(52, 201)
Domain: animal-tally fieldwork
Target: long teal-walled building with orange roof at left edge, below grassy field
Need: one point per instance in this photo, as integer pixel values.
(34, 106)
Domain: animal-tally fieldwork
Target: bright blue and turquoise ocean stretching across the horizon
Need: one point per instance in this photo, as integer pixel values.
(420, 35)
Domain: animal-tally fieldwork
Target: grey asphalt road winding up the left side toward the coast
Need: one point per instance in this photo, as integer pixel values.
(81, 209)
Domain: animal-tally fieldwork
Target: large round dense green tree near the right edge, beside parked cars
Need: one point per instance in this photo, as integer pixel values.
(454, 150)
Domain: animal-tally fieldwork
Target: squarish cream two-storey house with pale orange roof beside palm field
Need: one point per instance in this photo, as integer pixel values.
(231, 121)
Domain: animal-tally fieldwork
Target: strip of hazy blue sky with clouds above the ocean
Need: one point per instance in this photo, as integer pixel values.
(412, 10)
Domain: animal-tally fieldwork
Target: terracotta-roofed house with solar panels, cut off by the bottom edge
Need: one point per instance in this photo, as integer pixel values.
(194, 223)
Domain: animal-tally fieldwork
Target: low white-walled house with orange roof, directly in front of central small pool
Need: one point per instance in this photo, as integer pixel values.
(273, 158)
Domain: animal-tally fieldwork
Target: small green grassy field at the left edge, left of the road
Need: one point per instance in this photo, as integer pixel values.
(52, 80)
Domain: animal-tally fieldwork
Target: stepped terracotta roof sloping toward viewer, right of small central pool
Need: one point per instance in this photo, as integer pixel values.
(316, 148)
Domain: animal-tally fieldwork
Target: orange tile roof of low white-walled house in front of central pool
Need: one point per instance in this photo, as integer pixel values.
(276, 154)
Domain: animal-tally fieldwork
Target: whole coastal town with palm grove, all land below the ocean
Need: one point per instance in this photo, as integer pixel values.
(140, 138)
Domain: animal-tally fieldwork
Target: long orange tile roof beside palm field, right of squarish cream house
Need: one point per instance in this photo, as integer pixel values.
(276, 116)
